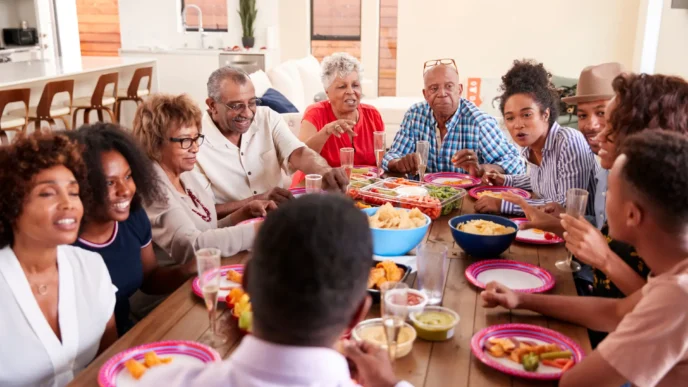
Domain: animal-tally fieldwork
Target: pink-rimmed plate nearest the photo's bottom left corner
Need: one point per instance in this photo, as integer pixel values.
(114, 374)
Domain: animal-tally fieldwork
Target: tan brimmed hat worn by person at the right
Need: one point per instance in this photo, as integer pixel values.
(595, 83)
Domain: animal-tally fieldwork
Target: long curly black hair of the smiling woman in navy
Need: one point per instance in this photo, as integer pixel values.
(102, 137)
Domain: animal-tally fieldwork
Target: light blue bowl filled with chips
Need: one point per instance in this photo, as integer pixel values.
(390, 242)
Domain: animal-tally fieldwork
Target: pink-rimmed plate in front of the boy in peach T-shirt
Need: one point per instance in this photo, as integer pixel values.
(523, 332)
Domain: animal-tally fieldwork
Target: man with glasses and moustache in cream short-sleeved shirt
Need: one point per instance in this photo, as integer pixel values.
(249, 147)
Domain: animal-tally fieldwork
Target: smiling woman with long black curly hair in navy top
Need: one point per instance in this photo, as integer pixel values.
(116, 226)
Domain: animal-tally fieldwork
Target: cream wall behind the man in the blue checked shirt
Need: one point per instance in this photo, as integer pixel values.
(484, 37)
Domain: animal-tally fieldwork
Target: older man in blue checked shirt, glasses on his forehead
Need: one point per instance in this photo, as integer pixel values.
(462, 137)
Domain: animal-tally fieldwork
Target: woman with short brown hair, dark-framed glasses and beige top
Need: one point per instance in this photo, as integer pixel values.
(168, 127)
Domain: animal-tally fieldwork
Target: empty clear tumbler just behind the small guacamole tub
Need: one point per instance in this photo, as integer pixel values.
(432, 270)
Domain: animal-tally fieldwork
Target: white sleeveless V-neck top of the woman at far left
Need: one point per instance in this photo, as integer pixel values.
(30, 352)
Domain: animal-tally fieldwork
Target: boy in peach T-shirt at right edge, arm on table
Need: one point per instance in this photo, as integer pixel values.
(647, 208)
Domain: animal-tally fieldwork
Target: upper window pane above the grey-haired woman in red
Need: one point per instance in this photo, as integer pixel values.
(336, 20)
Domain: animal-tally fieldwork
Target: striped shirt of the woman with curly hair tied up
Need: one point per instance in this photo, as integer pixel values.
(567, 162)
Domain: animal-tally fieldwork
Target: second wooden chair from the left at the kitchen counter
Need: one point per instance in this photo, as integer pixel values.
(45, 111)
